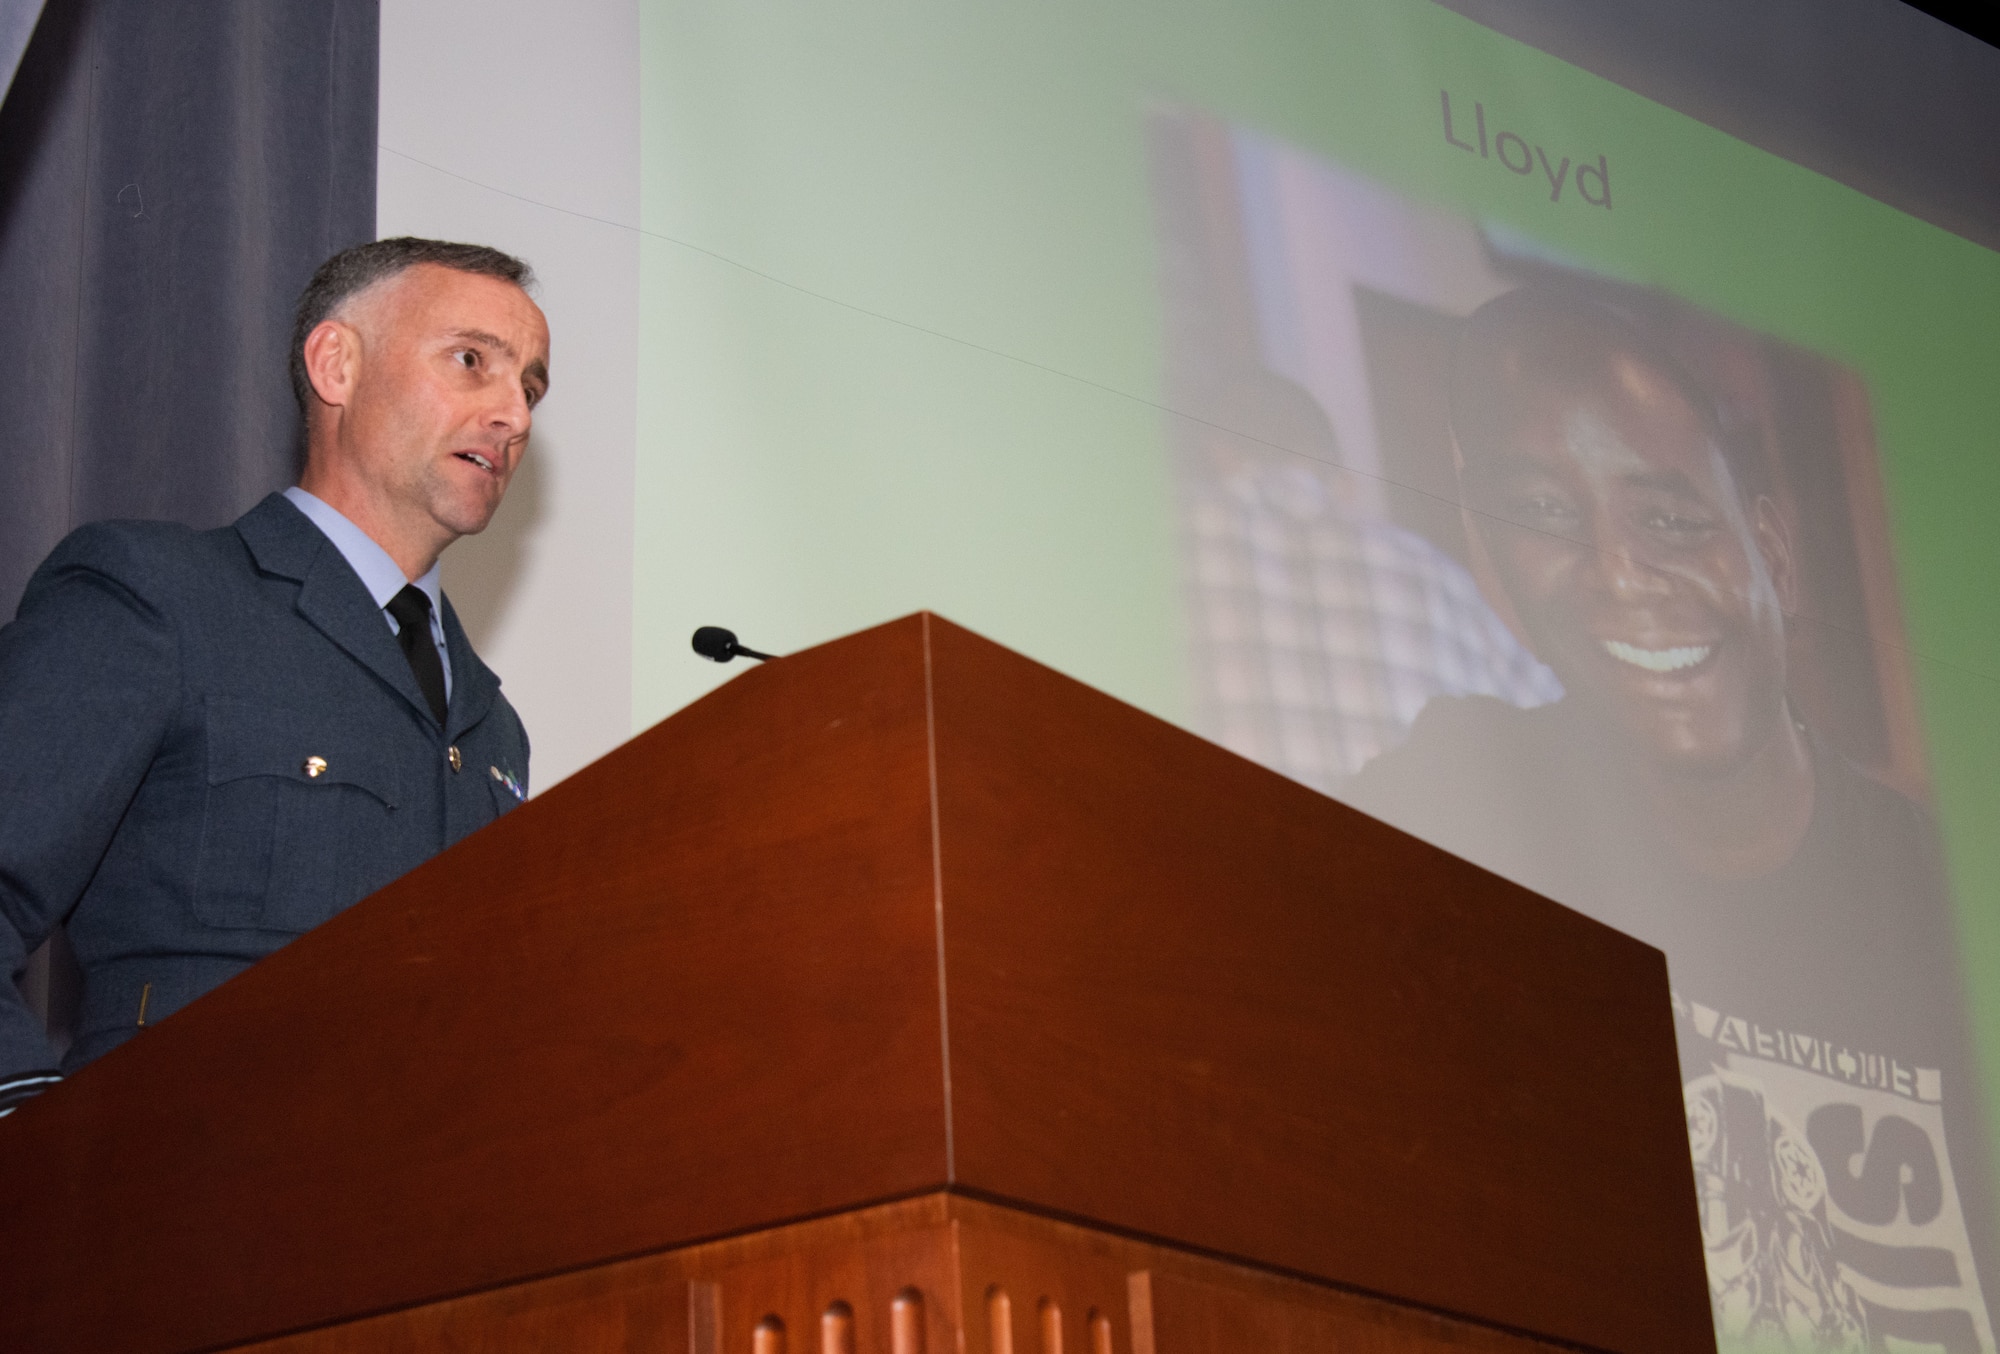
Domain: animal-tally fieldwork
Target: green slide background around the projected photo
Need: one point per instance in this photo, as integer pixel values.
(901, 325)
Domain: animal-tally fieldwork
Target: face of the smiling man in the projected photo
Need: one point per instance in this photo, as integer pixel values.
(1637, 571)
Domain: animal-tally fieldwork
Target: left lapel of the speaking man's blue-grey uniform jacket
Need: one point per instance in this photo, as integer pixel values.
(331, 595)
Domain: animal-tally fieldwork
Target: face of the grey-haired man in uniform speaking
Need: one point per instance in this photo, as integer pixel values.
(451, 371)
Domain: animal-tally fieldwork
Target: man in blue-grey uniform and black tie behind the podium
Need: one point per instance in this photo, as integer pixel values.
(215, 741)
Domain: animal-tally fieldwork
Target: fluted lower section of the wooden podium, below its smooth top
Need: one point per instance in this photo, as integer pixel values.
(933, 1275)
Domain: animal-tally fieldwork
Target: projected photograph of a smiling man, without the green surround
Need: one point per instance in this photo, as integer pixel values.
(1595, 587)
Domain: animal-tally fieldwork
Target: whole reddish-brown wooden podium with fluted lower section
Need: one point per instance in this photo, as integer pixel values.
(901, 995)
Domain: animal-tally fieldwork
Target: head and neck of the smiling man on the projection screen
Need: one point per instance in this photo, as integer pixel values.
(1647, 571)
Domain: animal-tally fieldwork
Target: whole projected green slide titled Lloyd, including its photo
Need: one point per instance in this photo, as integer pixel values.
(1435, 423)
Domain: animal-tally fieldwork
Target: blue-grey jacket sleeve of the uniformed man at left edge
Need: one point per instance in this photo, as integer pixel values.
(89, 681)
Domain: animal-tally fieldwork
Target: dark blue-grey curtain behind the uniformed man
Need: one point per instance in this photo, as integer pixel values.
(171, 175)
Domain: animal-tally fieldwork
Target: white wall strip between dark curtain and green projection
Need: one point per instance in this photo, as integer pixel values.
(515, 125)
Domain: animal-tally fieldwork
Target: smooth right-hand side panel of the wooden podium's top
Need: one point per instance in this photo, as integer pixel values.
(1197, 1001)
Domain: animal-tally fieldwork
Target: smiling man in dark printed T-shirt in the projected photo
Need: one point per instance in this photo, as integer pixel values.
(1677, 795)
